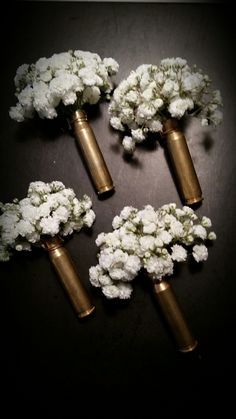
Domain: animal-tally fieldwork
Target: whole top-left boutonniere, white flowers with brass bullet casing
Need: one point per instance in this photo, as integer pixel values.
(62, 85)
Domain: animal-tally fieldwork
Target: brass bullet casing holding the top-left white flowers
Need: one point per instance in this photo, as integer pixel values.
(91, 152)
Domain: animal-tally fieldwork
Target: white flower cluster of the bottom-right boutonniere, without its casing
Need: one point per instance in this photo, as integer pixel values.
(150, 239)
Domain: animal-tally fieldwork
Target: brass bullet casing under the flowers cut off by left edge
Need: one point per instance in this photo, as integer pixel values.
(66, 271)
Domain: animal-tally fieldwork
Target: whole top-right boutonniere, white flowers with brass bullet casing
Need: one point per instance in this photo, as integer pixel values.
(154, 99)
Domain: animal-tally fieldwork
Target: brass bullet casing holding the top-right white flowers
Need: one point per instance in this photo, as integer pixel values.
(185, 174)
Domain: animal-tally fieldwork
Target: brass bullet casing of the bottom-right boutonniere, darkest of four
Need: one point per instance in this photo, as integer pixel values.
(174, 316)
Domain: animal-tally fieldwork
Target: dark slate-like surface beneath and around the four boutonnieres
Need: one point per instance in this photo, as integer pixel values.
(54, 365)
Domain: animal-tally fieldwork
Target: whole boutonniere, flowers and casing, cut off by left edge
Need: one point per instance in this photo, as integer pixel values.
(49, 212)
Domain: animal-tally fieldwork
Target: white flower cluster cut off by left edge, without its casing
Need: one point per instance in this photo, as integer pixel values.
(48, 209)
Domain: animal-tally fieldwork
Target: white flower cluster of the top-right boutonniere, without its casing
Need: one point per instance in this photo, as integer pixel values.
(152, 94)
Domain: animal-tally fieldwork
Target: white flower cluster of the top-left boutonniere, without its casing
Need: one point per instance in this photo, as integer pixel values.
(69, 79)
